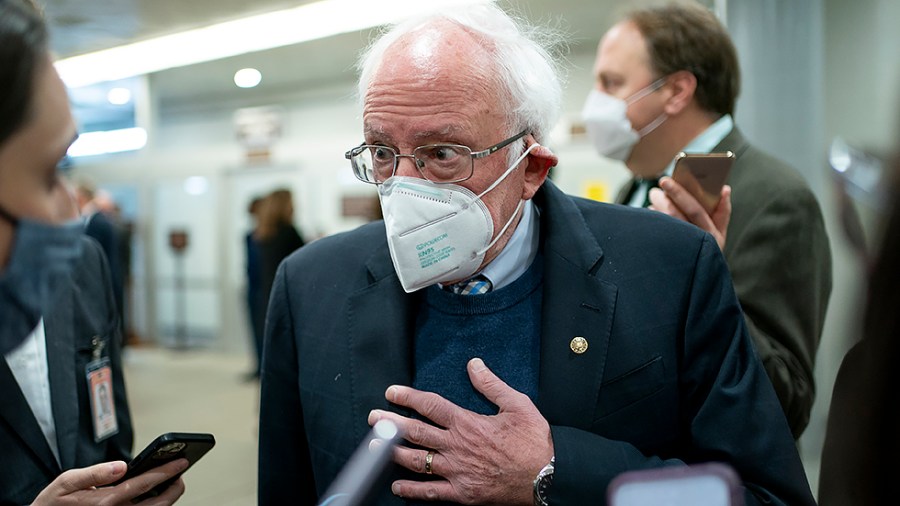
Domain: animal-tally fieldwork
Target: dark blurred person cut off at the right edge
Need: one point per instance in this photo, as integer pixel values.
(859, 457)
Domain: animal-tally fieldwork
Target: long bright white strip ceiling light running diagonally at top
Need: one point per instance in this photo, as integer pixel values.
(255, 33)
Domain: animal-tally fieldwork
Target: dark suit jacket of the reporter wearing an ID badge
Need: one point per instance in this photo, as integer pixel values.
(83, 308)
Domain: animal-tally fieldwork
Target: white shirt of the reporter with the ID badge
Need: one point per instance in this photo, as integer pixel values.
(28, 363)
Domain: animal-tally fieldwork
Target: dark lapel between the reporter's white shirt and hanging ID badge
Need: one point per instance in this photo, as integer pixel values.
(64, 378)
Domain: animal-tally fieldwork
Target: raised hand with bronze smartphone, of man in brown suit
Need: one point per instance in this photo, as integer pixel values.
(697, 192)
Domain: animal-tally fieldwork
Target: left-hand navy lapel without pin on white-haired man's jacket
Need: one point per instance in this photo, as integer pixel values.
(380, 327)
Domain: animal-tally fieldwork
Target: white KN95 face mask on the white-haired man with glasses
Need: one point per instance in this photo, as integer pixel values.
(438, 232)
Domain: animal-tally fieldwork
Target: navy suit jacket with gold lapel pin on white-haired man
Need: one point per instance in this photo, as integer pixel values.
(670, 375)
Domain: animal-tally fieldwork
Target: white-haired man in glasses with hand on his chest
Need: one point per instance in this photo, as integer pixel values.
(531, 345)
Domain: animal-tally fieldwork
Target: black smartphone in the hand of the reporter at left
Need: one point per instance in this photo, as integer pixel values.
(166, 448)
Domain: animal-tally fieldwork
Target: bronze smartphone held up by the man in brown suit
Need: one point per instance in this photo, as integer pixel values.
(703, 175)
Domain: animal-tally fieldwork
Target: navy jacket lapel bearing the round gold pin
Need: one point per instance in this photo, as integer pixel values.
(576, 304)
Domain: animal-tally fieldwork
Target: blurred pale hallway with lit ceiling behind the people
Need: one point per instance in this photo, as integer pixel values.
(233, 99)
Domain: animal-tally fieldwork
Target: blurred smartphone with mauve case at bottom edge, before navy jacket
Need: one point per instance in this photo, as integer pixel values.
(711, 484)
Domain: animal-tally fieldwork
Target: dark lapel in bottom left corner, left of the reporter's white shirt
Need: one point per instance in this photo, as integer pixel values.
(14, 409)
